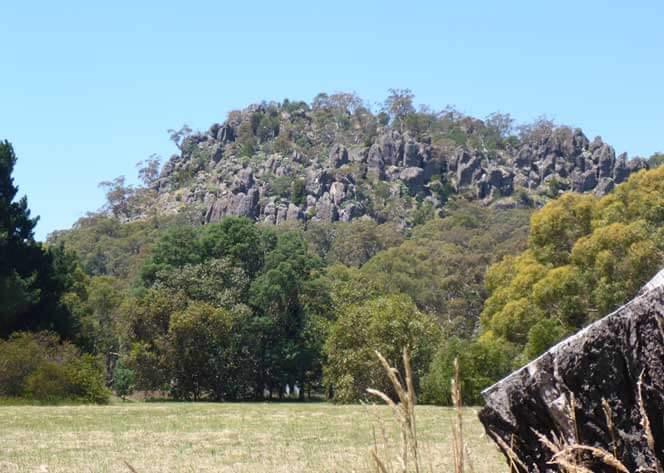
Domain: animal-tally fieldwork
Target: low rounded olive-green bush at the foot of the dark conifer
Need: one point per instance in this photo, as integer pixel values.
(39, 366)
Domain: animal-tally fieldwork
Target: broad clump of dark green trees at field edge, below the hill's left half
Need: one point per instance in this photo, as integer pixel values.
(229, 309)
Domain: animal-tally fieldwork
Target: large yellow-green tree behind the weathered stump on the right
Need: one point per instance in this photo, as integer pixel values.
(586, 256)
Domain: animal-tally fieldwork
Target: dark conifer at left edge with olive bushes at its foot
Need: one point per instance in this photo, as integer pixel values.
(36, 285)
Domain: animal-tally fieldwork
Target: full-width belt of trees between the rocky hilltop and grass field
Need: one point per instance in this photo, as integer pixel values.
(237, 310)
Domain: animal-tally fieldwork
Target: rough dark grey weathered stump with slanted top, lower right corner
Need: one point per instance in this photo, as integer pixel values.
(603, 361)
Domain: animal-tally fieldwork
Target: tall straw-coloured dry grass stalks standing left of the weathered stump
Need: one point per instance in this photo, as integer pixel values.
(409, 457)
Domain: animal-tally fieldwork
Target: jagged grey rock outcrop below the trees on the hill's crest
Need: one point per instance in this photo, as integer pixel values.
(346, 180)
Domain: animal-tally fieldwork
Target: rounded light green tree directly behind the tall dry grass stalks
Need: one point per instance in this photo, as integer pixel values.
(385, 324)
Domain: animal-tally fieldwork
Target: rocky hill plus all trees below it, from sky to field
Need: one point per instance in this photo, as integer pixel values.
(221, 278)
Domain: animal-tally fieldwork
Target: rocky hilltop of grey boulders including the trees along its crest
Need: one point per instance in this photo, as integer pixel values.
(335, 160)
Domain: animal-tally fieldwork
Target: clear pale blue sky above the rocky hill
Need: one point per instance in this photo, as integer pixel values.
(87, 89)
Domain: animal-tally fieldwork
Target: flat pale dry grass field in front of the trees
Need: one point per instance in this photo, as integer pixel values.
(183, 437)
